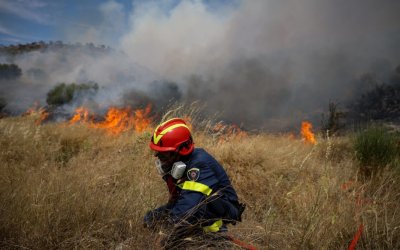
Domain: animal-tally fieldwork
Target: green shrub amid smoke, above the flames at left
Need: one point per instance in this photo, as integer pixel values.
(64, 93)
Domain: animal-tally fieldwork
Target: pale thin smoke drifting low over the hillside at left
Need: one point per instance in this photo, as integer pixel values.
(42, 71)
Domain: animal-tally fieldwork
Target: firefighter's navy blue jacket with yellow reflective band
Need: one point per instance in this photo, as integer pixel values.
(204, 177)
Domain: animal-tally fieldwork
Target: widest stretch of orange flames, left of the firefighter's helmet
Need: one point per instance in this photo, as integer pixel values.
(116, 120)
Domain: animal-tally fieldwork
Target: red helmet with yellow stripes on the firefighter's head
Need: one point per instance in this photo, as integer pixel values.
(172, 135)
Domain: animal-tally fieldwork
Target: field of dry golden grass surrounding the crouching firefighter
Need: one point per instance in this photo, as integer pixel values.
(69, 186)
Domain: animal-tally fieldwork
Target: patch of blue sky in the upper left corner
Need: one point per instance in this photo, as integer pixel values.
(24, 21)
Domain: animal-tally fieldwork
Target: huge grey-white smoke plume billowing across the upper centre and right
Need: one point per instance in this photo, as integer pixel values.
(267, 63)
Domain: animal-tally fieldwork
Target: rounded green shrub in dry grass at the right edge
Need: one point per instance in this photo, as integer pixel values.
(375, 148)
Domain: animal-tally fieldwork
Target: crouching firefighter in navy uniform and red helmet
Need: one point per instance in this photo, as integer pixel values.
(201, 194)
